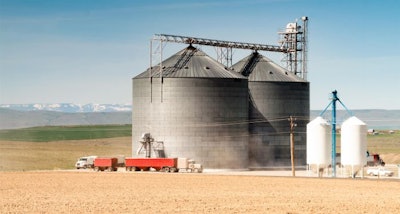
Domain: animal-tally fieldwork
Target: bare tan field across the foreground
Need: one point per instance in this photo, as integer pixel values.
(122, 192)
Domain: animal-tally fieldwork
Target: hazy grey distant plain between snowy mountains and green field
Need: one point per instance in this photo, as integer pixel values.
(12, 119)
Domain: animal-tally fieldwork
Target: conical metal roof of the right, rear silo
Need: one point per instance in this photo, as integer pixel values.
(260, 68)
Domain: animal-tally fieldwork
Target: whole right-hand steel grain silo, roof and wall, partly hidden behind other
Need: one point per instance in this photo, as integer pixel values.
(275, 94)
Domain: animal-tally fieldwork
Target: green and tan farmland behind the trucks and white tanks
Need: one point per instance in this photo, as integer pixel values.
(58, 147)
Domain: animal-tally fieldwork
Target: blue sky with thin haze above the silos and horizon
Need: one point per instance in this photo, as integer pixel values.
(84, 51)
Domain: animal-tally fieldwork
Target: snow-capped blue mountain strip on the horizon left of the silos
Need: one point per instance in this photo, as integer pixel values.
(69, 107)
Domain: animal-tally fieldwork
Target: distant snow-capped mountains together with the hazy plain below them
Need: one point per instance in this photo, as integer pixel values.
(30, 115)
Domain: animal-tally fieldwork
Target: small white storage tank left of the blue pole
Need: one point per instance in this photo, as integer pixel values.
(319, 142)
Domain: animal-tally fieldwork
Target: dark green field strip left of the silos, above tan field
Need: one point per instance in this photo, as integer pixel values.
(58, 133)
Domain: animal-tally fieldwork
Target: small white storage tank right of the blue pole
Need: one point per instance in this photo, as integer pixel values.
(354, 142)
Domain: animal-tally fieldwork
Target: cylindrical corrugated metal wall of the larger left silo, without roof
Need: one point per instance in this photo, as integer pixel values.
(200, 118)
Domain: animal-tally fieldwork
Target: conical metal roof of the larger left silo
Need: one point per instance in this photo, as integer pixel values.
(190, 63)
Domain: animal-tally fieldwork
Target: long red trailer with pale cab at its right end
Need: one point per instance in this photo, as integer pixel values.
(162, 164)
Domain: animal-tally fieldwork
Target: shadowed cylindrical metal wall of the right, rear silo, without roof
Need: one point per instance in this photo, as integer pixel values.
(274, 102)
